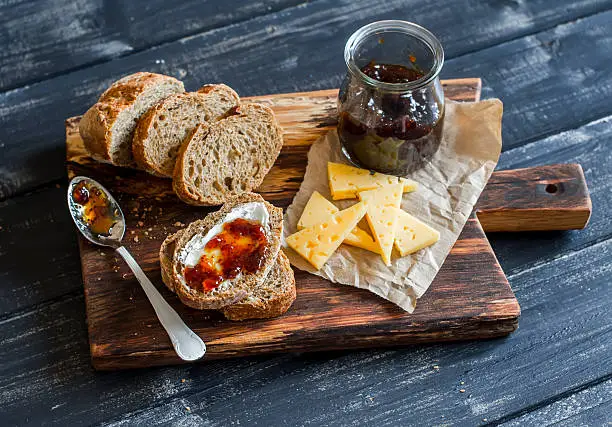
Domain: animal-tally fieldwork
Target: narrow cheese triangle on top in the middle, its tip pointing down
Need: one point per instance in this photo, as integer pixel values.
(382, 210)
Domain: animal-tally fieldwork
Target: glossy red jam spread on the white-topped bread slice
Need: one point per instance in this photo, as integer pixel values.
(240, 247)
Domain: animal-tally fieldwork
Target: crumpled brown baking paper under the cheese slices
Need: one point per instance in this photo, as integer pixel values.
(449, 186)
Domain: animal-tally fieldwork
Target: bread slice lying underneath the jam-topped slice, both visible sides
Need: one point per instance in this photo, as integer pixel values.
(270, 299)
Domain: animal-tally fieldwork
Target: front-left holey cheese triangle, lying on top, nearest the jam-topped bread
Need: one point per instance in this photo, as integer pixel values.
(318, 242)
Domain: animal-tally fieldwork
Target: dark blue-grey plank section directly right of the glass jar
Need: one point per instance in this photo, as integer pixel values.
(549, 82)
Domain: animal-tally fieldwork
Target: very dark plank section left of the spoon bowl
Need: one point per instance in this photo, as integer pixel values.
(39, 260)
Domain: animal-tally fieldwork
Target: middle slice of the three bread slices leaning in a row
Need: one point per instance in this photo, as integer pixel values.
(162, 129)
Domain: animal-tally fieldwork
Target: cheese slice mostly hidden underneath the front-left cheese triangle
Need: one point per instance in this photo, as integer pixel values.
(319, 209)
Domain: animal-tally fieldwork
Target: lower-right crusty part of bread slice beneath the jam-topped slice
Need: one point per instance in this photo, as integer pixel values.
(270, 299)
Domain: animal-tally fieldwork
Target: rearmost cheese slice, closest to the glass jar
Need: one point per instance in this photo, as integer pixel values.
(346, 181)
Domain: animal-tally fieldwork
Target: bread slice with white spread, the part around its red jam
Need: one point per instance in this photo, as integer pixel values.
(237, 289)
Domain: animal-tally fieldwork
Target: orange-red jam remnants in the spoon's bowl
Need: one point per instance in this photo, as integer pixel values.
(96, 208)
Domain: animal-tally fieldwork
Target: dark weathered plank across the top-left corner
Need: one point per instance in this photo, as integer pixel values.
(50, 37)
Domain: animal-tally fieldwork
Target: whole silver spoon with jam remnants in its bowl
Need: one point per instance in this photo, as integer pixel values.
(99, 218)
